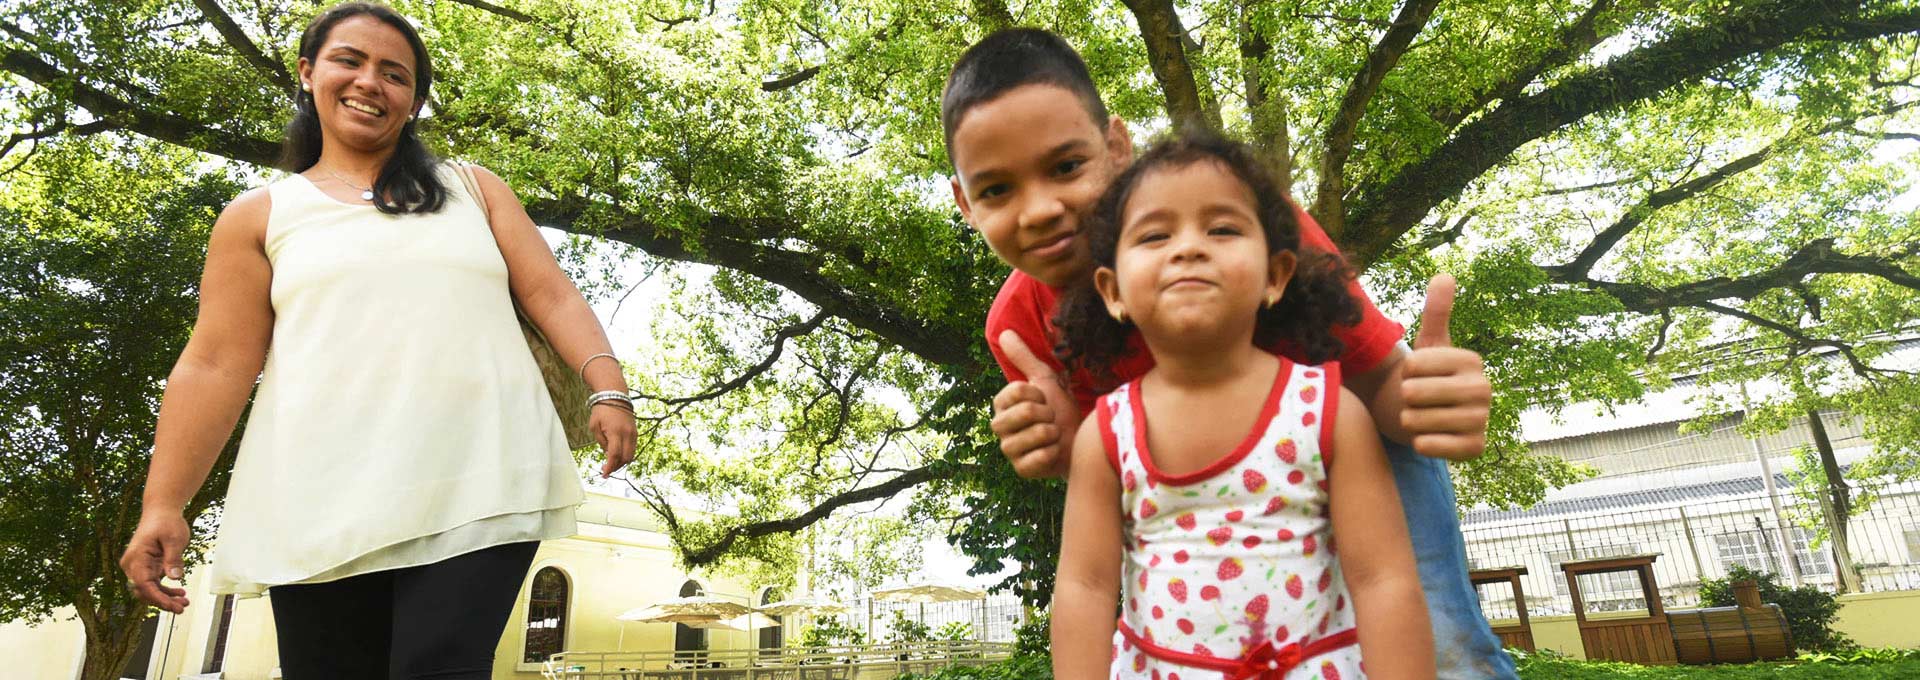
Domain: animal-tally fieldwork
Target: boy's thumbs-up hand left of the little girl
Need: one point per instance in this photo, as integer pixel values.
(1036, 418)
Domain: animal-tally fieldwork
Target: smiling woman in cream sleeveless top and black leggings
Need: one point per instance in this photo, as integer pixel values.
(402, 460)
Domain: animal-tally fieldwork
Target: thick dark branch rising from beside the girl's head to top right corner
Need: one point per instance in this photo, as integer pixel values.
(1389, 208)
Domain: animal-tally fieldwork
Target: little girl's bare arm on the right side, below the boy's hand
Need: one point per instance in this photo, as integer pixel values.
(1376, 552)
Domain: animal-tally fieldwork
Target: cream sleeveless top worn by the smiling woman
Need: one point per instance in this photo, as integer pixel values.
(400, 416)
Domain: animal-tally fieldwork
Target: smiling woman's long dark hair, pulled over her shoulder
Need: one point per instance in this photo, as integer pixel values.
(408, 183)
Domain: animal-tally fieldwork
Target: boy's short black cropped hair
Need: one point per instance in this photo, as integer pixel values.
(1007, 61)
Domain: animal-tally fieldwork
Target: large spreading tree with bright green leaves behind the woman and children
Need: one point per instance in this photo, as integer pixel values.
(1618, 183)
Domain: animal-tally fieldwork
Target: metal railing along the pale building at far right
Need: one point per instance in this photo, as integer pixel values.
(1696, 539)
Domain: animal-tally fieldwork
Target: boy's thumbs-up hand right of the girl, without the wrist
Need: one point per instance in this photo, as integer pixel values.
(1445, 389)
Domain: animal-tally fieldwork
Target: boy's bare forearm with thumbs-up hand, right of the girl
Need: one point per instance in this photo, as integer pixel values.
(1435, 397)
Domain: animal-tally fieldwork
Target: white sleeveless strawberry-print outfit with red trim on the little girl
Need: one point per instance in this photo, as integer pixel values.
(1230, 571)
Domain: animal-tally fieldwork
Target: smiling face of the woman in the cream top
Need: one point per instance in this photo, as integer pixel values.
(362, 82)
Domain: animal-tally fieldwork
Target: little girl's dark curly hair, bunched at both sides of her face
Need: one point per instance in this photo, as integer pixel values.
(1301, 326)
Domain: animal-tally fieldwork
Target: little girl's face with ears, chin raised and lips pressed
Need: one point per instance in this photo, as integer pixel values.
(1191, 262)
